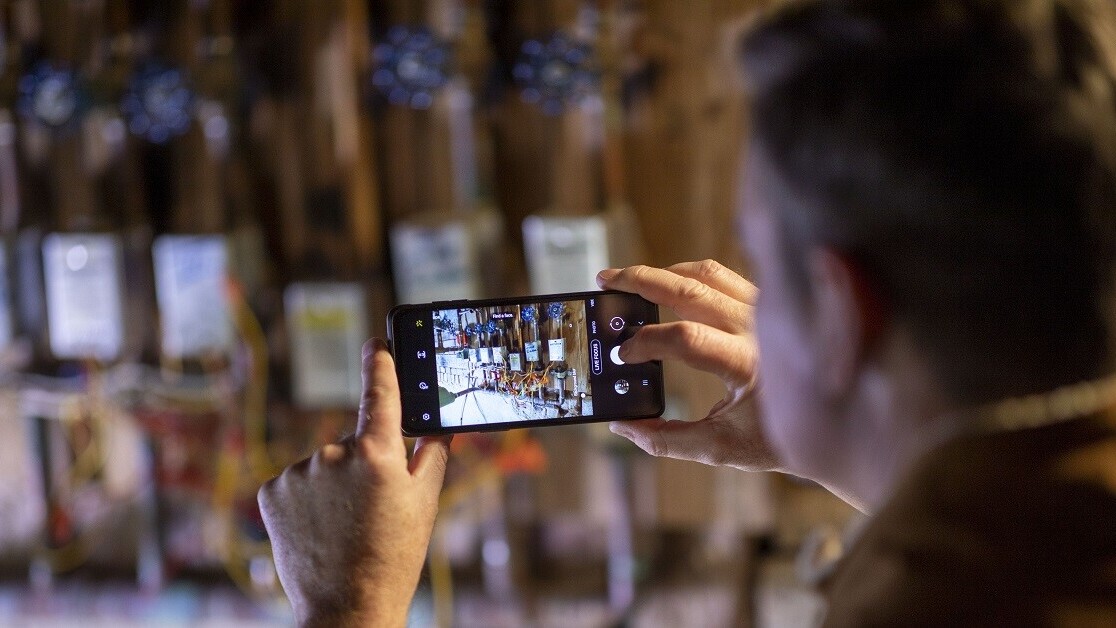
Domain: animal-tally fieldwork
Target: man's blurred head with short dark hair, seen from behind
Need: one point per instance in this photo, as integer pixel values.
(942, 171)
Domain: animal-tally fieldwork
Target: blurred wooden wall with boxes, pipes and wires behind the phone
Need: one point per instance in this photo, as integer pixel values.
(207, 207)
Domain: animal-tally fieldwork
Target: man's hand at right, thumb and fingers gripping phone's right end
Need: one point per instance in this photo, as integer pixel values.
(716, 336)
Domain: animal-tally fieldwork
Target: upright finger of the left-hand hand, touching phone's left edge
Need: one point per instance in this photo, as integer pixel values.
(381, 416)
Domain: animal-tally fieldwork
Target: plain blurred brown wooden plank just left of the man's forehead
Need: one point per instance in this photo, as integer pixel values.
(686, 127)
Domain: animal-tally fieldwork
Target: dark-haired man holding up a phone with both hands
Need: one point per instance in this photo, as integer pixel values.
(930, 206)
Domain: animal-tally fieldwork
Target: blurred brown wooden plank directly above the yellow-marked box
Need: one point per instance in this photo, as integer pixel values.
(323, 171)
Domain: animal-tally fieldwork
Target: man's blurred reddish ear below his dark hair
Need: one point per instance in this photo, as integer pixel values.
(849, 317)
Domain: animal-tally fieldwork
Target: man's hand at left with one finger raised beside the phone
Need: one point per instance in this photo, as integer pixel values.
(350, 526)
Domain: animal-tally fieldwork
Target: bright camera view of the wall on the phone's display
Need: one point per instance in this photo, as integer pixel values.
(526, 362)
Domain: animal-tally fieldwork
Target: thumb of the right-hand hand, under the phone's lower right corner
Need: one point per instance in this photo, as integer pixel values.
(681, 440)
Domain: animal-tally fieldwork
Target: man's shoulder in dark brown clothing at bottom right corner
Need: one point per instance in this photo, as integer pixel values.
(1005, 529)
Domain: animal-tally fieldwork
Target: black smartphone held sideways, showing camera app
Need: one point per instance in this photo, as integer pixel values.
(501, 364)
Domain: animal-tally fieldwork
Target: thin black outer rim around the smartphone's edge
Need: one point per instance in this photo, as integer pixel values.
(653, 320)
